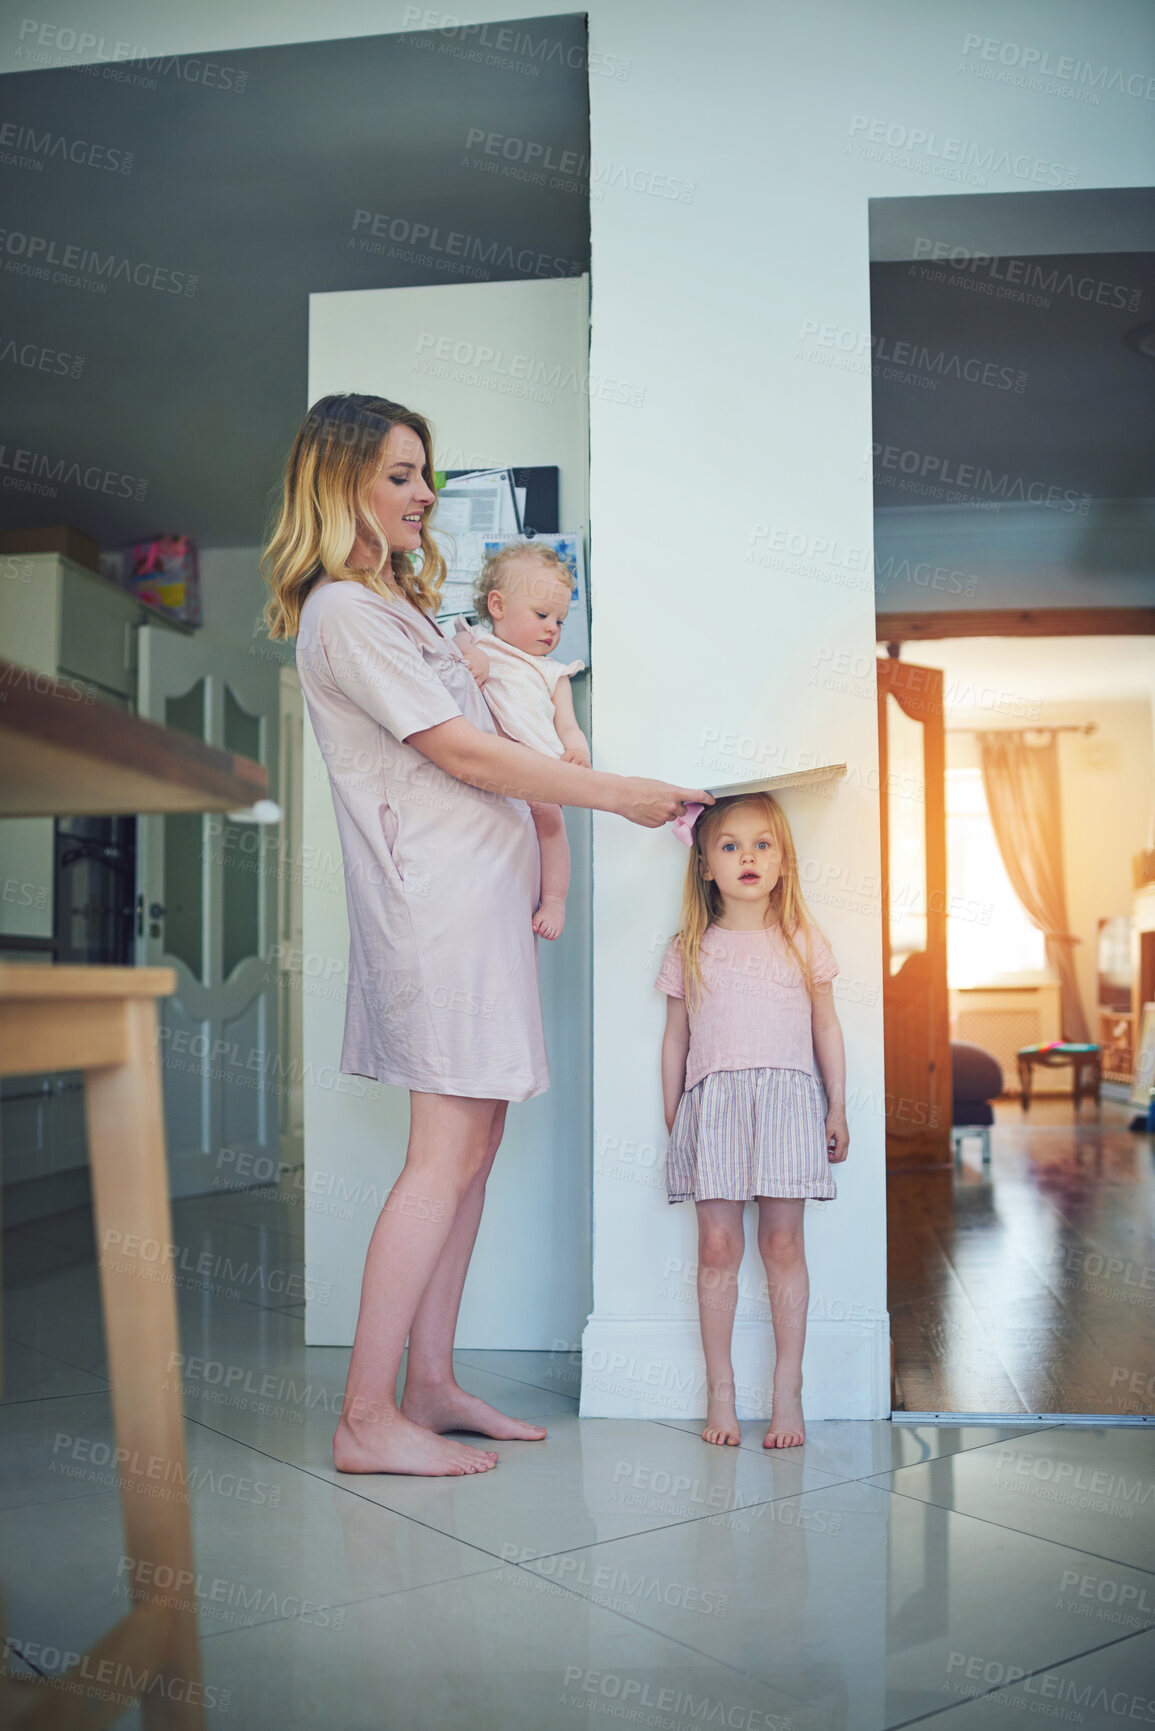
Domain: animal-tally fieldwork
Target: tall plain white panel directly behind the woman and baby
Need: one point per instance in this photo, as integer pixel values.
(531, 1275)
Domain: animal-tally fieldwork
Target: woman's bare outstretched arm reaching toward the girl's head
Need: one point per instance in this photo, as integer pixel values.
(519, 773)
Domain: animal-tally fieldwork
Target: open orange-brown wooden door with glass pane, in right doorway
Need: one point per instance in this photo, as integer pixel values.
(917, 1029)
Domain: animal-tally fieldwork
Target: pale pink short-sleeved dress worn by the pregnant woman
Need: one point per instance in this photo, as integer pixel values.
(441, 878)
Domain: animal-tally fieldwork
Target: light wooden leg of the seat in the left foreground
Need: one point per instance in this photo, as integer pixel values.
(131, 1202)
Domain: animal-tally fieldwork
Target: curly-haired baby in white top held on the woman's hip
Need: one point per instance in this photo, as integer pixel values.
(524, 593)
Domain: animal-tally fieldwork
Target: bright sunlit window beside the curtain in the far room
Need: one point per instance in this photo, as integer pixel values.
(990, 934)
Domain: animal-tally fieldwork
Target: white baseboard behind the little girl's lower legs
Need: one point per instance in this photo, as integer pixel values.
(654, 1368)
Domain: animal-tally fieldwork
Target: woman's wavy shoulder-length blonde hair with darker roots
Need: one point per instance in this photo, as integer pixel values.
(328, 479)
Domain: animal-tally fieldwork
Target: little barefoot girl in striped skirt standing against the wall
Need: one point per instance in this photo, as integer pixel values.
(749, 1010)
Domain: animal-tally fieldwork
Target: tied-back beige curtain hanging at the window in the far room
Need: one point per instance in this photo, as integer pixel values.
(1021, 783)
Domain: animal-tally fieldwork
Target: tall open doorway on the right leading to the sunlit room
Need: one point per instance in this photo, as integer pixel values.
(1012, 444)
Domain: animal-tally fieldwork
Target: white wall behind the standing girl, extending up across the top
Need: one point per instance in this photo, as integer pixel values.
(700, 304)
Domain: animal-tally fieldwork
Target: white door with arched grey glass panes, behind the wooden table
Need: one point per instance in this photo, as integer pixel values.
(209, 908)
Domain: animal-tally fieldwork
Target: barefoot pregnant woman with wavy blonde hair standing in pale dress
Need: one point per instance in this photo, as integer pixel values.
(442, 875)
